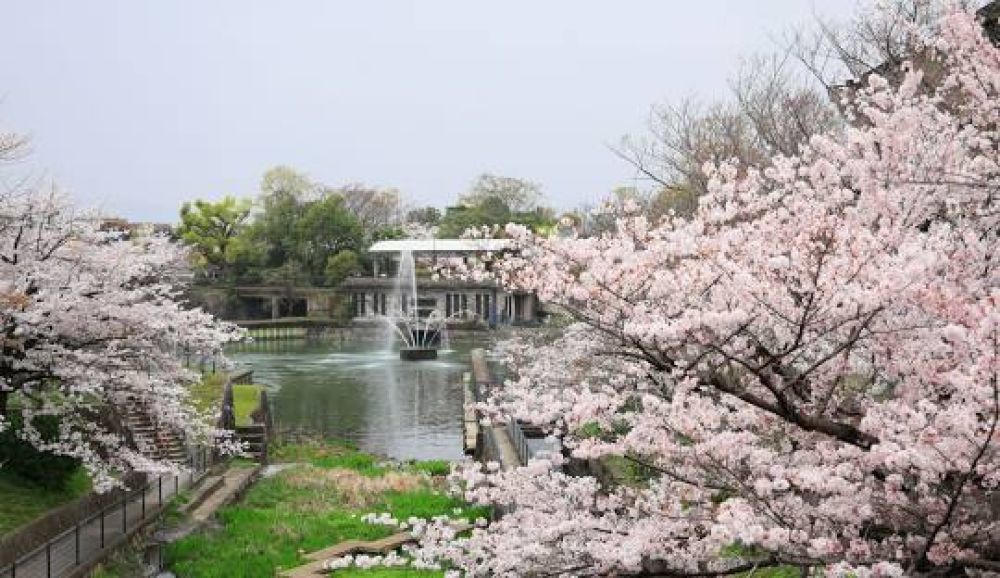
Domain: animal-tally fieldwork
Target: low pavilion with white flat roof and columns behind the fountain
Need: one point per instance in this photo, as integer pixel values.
(457, 300)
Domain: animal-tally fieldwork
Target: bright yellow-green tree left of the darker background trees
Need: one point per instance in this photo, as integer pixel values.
(210, 228)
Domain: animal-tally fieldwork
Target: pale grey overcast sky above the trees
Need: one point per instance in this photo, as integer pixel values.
(137, 106)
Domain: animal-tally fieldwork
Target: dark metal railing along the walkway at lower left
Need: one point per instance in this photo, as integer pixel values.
(92, 537)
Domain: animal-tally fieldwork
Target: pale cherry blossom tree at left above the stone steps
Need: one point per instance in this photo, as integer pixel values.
(92, 327)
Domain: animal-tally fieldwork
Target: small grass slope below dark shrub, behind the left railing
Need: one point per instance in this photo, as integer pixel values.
(22, 501)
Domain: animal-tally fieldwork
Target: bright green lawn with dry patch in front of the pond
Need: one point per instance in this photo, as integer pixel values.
(309, 507)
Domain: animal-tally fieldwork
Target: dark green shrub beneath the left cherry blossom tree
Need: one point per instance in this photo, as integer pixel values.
(20, 458)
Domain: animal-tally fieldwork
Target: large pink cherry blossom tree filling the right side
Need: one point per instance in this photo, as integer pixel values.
(805, 370)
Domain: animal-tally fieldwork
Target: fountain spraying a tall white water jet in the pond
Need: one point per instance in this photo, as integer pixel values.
(416, 323)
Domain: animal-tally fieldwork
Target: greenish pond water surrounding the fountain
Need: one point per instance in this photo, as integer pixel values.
(363, 393)
